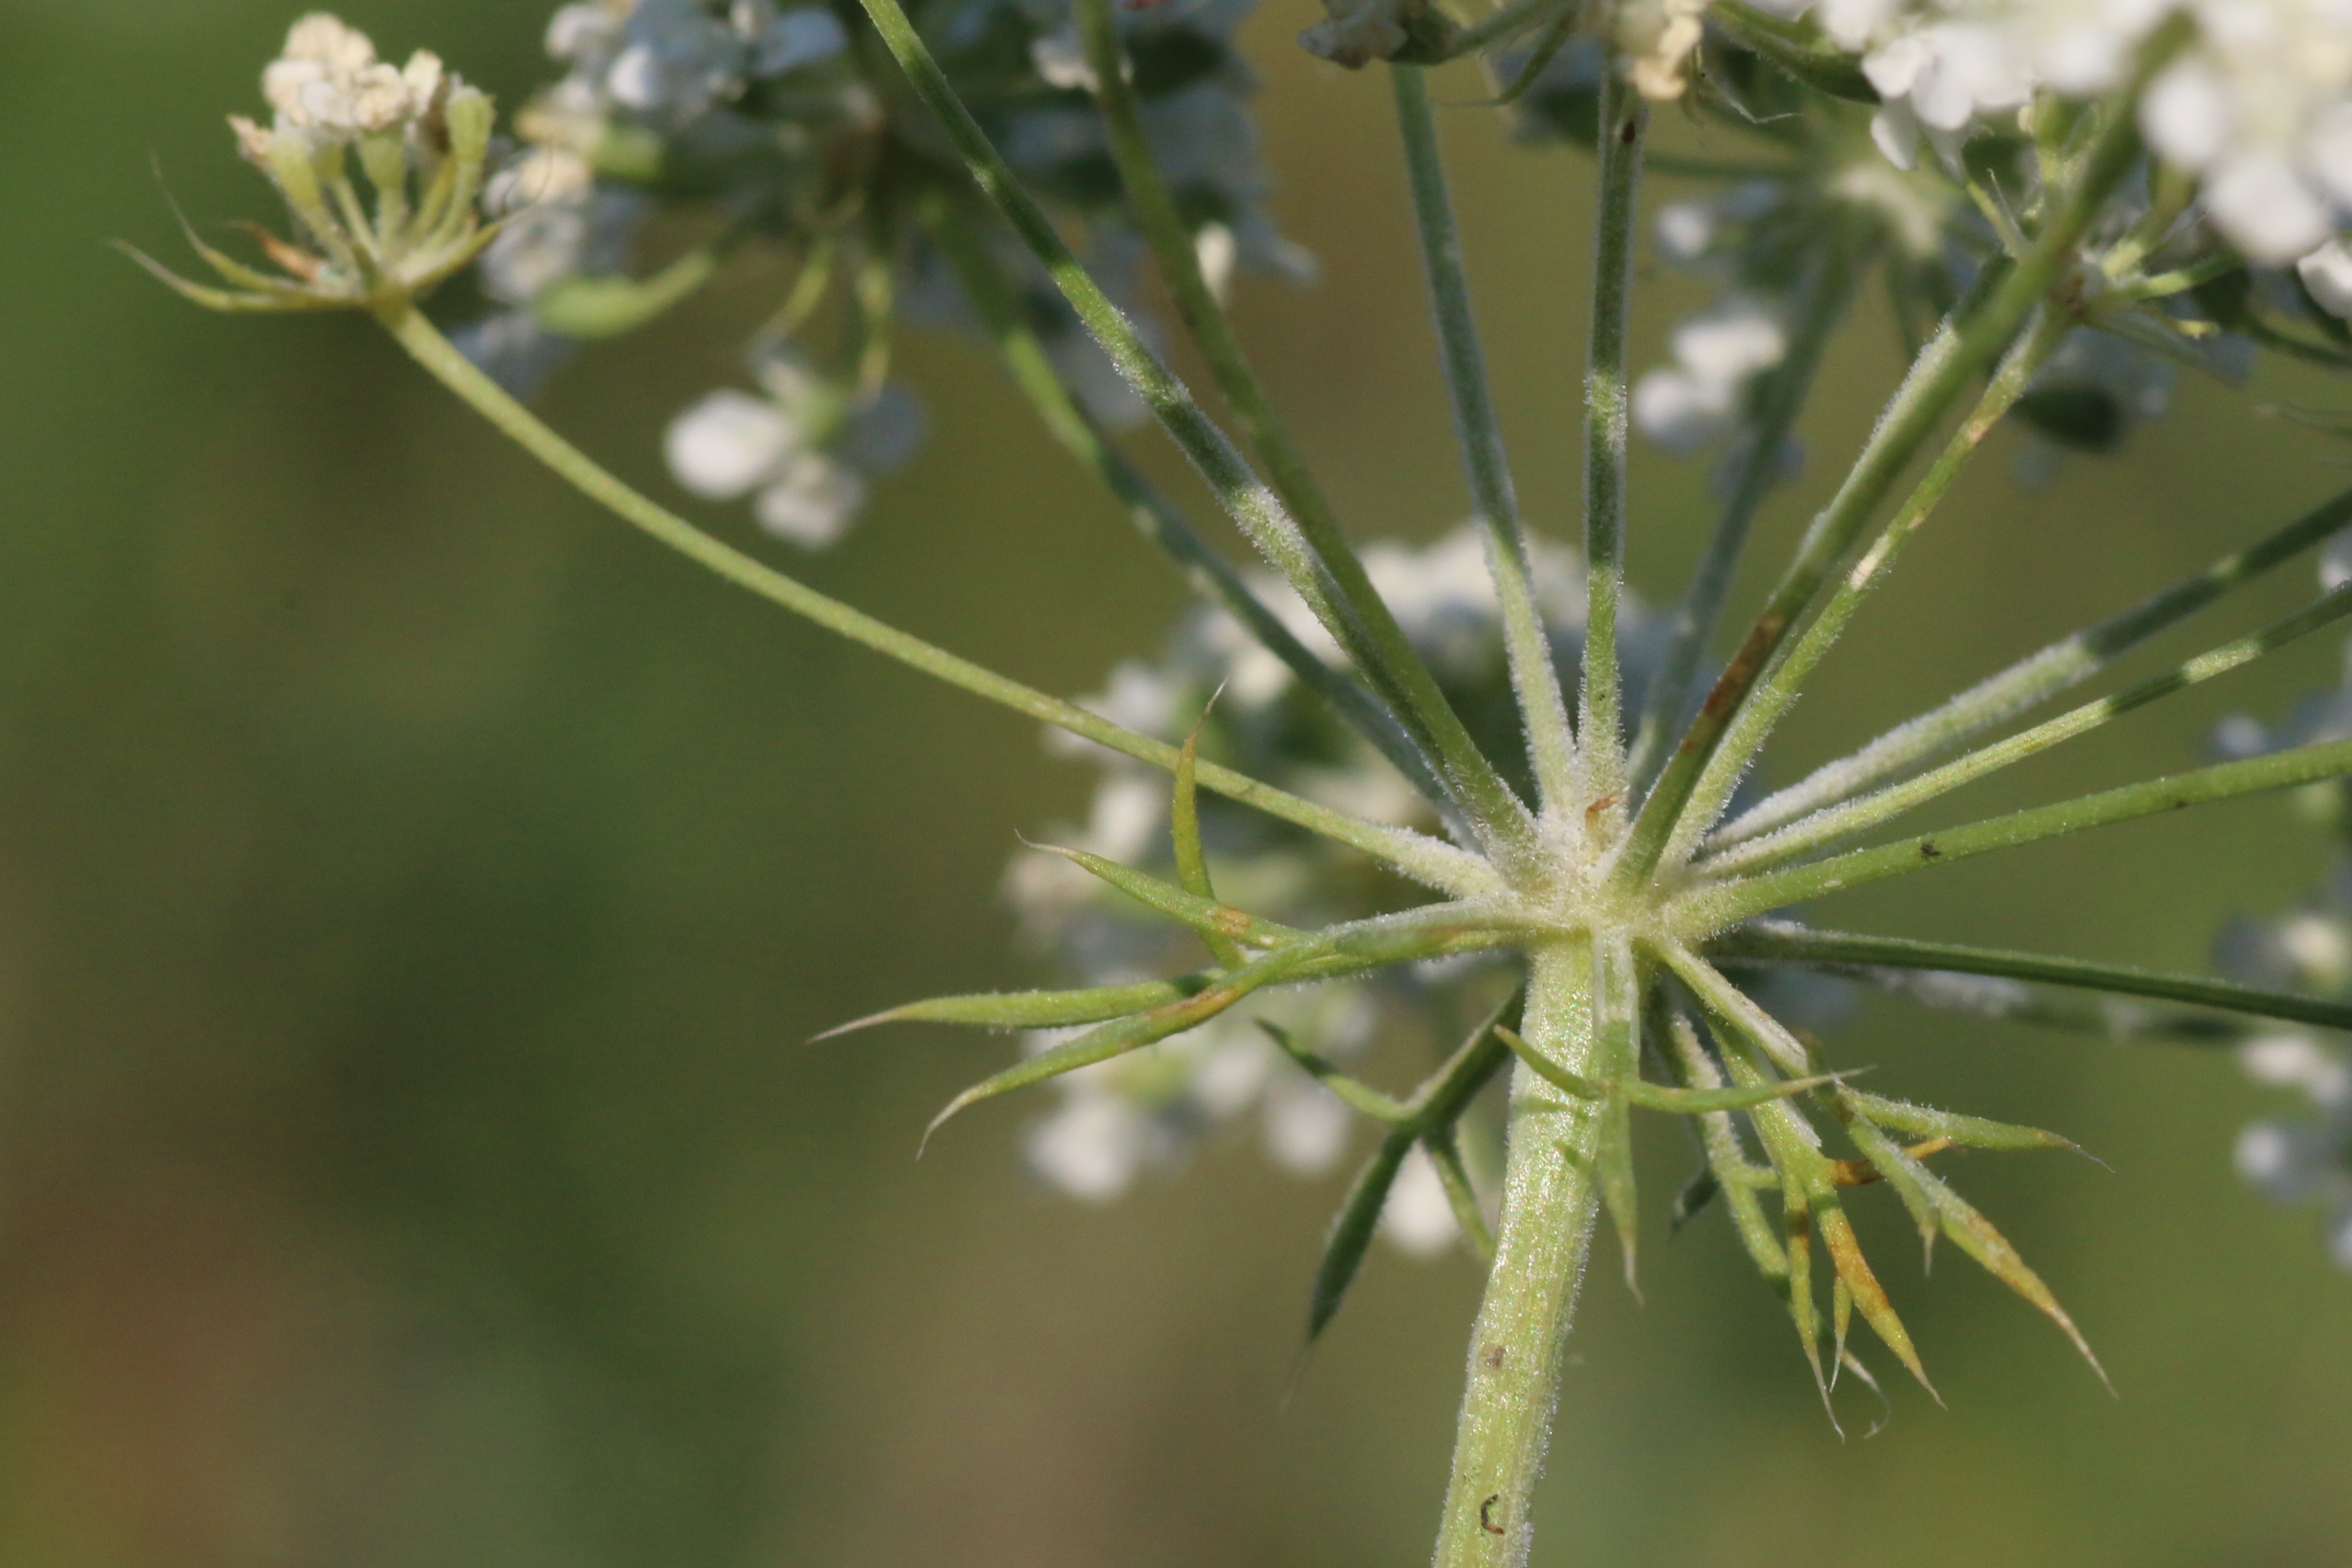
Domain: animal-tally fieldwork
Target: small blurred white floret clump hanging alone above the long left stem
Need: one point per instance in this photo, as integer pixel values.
(803, 453)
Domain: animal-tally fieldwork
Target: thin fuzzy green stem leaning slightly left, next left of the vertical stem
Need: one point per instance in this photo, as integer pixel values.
(1481, 434)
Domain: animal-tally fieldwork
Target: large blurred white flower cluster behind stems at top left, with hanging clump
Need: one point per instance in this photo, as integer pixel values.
(761, 116)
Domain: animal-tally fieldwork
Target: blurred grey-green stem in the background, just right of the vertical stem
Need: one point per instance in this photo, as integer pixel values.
(1817, 307)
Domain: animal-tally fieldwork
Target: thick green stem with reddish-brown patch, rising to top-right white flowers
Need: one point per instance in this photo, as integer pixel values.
(1960, 351)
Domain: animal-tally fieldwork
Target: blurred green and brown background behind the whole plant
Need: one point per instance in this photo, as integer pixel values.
(415, 894)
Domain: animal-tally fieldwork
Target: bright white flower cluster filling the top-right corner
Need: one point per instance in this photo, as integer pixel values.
(2259, 105)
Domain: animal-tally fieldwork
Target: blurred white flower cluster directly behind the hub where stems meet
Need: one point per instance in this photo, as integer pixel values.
(1149, 1111)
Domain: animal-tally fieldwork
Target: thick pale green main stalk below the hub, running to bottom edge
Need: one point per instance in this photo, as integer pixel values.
(1549, 1198)
